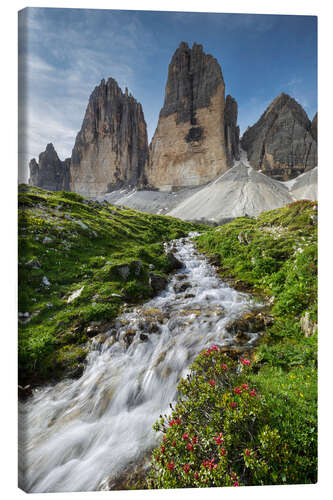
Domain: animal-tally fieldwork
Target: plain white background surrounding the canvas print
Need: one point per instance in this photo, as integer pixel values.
(8, 246)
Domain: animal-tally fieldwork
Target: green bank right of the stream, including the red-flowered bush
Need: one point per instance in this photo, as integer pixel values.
(253, 421)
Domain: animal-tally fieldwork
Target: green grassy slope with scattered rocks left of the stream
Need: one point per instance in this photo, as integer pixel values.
(104, 253)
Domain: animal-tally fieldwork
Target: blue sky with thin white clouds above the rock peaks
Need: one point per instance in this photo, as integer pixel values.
(66, 52)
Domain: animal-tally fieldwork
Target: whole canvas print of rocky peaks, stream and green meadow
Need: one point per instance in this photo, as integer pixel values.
(167, 234)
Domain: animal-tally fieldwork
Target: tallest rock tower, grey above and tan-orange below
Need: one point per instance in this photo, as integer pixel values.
(188, 147)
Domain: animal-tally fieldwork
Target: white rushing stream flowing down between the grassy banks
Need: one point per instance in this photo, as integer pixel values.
(81, 434)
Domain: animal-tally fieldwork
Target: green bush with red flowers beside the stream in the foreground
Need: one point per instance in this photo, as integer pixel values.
(219, 433)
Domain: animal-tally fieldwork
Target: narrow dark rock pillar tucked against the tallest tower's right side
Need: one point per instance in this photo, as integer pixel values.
(231, 130)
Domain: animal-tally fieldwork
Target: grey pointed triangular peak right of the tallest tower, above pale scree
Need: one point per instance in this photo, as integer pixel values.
(281, 143)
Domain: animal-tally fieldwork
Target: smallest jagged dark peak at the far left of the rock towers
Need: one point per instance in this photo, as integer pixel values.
(50, 173)
